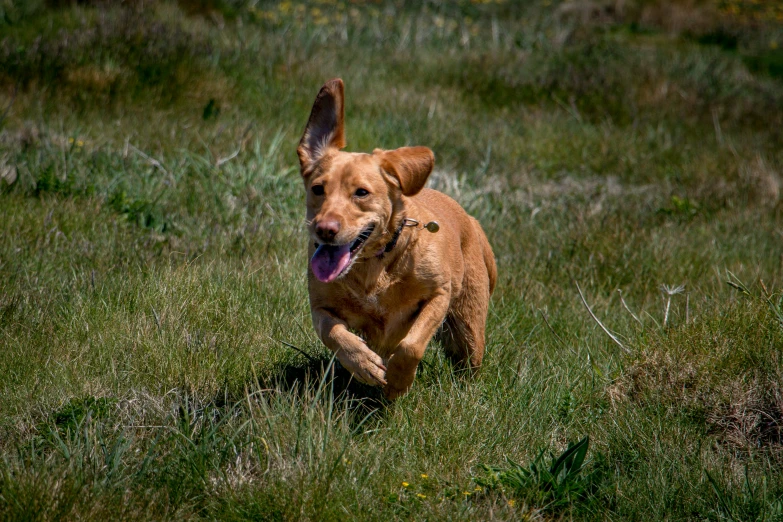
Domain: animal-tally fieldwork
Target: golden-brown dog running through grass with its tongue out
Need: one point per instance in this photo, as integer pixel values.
(392, 263)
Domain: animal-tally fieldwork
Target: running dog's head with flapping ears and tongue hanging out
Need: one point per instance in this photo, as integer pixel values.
(354, 200)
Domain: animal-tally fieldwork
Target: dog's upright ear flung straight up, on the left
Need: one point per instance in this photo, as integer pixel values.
(325, 128)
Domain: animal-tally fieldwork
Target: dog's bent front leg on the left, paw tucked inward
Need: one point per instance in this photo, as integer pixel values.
(366, 365)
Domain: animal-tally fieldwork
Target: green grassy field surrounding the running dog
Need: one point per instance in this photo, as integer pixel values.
(157, 359)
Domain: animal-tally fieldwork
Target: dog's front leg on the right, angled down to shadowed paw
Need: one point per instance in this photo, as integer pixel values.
(405, 359)
